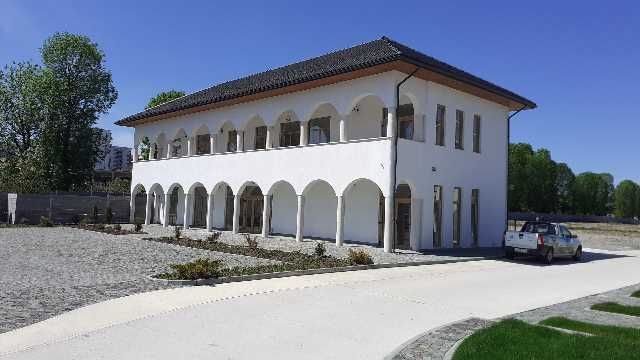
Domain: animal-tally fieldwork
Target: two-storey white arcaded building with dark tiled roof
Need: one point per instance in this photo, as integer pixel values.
(310, 150)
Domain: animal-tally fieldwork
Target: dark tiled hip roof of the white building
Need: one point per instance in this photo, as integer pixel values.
(362, 56)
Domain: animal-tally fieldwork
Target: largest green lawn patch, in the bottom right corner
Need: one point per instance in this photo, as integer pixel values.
(514, 339)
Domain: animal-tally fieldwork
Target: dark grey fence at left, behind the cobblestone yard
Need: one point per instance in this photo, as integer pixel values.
(69, 208)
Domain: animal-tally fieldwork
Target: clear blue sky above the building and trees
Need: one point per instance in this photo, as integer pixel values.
(578, 60)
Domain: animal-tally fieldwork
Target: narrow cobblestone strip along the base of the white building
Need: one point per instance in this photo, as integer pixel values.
(378, 255)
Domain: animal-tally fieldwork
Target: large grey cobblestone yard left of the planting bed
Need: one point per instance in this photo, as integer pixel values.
(47, 271)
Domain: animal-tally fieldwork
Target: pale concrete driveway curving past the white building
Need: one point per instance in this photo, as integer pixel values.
(358, 315)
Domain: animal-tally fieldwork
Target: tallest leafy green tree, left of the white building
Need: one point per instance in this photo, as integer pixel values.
(79, 89)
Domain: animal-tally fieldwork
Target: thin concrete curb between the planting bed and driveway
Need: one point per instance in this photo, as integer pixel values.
(239, 278)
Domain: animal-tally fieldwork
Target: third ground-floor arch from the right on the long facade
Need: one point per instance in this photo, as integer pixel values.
(284, 207)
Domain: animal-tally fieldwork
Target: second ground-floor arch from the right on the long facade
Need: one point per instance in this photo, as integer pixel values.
(320, 206)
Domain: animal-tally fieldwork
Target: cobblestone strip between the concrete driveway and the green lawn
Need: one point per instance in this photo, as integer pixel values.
(435, 344)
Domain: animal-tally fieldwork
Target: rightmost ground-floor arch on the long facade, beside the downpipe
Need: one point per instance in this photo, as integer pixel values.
(363, 212)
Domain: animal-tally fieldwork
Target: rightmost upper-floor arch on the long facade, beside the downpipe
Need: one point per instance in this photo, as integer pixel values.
(366, 117)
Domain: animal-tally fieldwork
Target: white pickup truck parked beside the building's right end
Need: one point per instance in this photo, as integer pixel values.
(543, 239)
